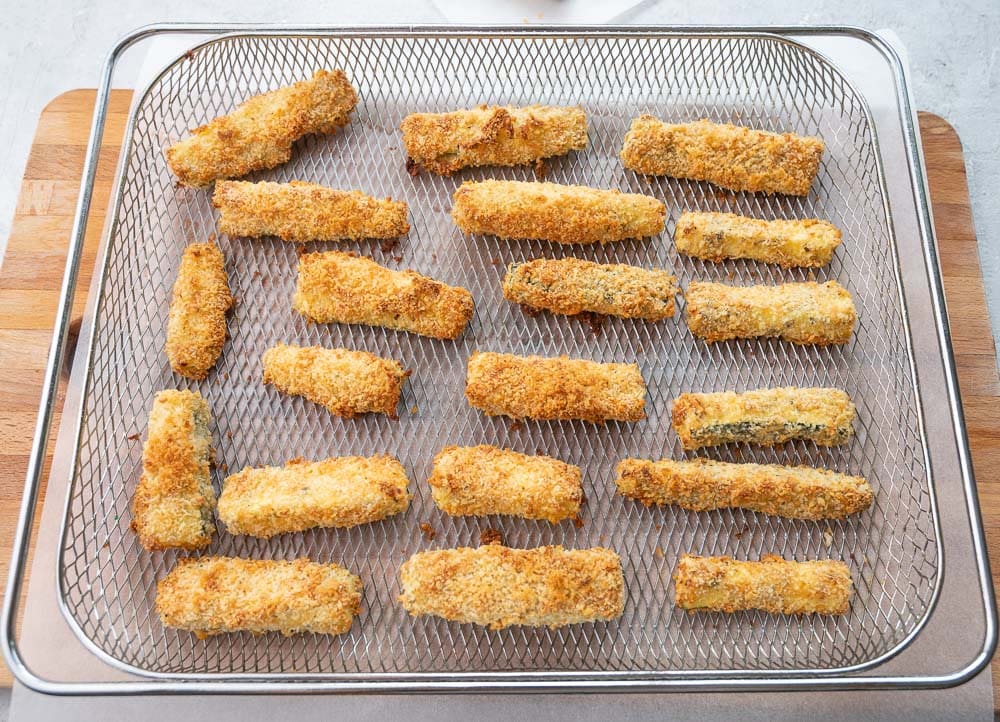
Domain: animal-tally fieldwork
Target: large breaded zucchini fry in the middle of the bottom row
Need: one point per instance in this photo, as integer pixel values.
(498, 587)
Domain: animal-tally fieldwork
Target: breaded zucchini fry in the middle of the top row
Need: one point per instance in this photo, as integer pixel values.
(492, 135)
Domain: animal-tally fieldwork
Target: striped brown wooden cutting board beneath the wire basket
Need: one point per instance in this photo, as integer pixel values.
(31, 276)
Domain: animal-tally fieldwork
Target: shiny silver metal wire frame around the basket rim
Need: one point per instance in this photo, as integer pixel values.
(562, 681)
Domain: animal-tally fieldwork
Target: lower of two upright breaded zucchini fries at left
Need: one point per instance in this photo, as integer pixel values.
(174, 500)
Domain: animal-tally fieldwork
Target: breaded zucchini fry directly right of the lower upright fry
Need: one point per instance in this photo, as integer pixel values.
(338, 492)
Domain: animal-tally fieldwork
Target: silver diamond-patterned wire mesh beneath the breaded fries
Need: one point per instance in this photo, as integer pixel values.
(108, 581)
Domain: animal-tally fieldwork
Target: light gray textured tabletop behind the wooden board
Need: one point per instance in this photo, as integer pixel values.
(46, 48)
